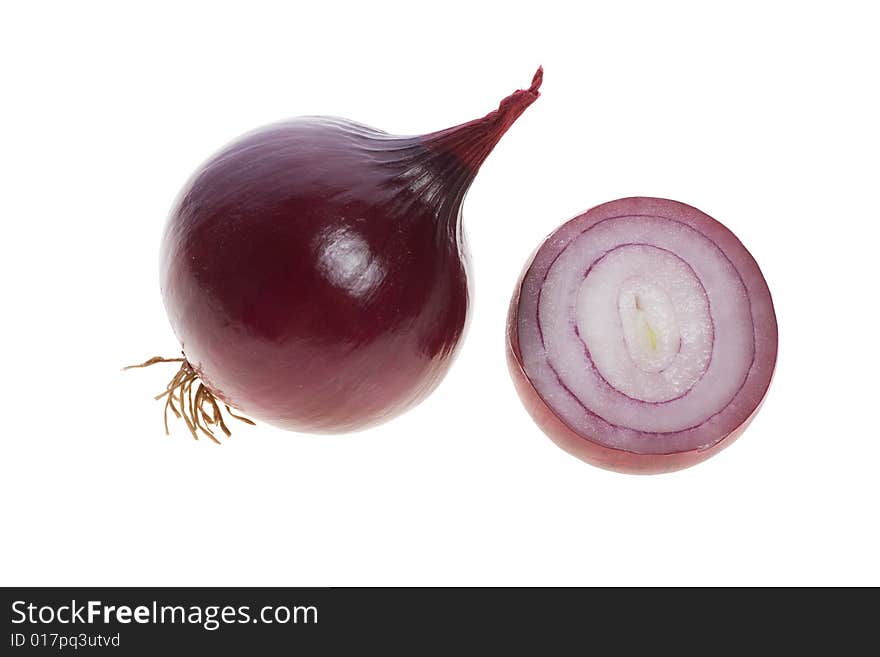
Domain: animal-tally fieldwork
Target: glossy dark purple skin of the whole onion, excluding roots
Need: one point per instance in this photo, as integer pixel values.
(315, 270)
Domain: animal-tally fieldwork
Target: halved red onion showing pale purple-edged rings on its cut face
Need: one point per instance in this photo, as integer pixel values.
(642, 336)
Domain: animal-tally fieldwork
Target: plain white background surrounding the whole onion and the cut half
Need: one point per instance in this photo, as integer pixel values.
(765, 115)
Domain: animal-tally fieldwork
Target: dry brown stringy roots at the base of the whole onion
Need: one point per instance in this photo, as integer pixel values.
(199, 410)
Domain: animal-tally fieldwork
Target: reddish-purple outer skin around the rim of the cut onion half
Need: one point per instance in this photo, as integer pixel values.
(585, 447)
